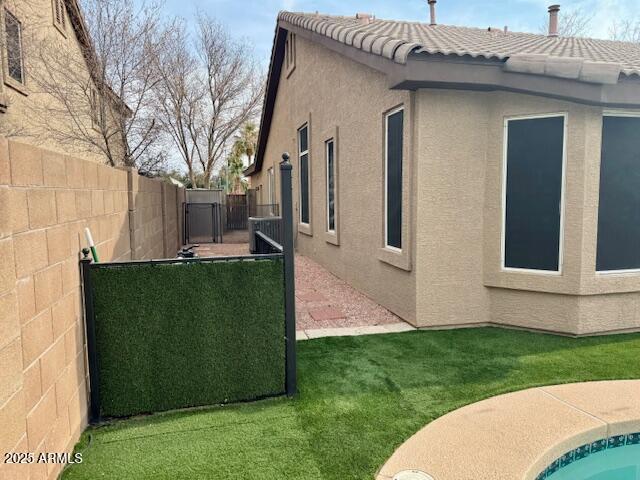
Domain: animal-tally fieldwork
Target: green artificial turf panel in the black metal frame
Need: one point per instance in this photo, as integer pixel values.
(180, 335)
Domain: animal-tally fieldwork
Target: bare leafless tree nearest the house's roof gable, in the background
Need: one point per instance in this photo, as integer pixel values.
(210, 86)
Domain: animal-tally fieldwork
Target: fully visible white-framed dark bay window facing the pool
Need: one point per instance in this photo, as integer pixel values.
(533, 191)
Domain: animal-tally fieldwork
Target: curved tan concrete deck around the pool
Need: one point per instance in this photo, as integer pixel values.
(516, 436)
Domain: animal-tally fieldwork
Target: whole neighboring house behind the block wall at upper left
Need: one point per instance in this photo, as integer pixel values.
(33, 30)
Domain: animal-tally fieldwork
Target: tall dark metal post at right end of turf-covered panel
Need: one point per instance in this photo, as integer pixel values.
(286, 196)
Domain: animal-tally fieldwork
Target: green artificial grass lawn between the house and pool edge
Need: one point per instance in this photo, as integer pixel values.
(360, 398)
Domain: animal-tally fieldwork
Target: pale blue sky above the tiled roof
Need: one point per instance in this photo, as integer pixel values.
(255, 19)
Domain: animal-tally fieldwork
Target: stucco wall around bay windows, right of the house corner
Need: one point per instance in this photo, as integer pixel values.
(459, 222)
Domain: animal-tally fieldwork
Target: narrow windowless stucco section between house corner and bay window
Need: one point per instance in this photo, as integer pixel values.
(451, 158)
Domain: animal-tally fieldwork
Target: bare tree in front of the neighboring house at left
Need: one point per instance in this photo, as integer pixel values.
(106, 95)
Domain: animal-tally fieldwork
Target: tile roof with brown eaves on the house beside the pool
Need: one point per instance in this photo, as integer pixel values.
(410, 54)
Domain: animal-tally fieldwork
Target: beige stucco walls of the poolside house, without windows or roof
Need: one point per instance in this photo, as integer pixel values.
(451, 274)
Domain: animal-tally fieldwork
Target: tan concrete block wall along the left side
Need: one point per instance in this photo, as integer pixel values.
(46, 201)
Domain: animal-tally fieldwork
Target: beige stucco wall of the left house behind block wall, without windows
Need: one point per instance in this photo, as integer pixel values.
(30, 107)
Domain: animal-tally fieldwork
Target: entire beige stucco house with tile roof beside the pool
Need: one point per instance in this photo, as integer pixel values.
(462, 176)
